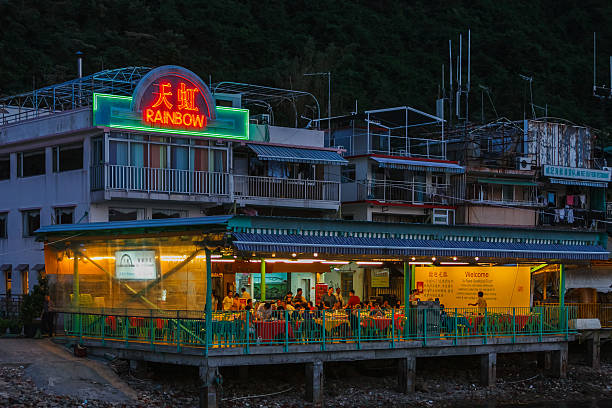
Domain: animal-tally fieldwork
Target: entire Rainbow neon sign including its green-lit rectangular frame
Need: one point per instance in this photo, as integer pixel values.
(171, 99)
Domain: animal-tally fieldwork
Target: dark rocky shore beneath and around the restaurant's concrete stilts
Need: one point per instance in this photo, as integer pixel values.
(445, 382)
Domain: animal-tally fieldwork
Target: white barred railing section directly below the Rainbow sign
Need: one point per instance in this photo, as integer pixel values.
(156, 180)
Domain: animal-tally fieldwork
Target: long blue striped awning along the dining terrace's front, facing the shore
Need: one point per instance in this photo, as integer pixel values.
(410, 247)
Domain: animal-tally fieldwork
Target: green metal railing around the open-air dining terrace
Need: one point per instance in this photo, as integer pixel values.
(180, 329)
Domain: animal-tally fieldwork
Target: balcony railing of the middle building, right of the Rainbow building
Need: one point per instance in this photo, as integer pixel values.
(406, 192)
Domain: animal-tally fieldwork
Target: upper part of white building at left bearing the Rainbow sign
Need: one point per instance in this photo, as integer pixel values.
(136, 144)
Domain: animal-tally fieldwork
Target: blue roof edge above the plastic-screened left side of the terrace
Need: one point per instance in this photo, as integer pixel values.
(136, 224)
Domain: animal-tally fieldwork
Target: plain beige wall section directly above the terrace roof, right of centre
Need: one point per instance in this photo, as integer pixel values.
(484, 215)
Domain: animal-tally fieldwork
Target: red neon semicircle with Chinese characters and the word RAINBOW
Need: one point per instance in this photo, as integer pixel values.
(175, 103)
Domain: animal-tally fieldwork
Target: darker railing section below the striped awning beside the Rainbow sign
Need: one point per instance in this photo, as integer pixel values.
(254, 187)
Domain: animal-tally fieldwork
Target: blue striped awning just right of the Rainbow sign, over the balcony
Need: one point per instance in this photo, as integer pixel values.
(297, 155)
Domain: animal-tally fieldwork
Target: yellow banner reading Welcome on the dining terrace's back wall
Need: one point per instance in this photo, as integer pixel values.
(503, 286)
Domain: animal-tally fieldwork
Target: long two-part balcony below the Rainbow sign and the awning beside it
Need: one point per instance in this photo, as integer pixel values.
(130, 182)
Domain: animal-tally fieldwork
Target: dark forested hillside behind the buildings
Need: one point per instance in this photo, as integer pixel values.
(382, 53)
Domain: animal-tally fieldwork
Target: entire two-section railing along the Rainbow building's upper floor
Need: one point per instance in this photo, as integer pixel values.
(155, 180)
